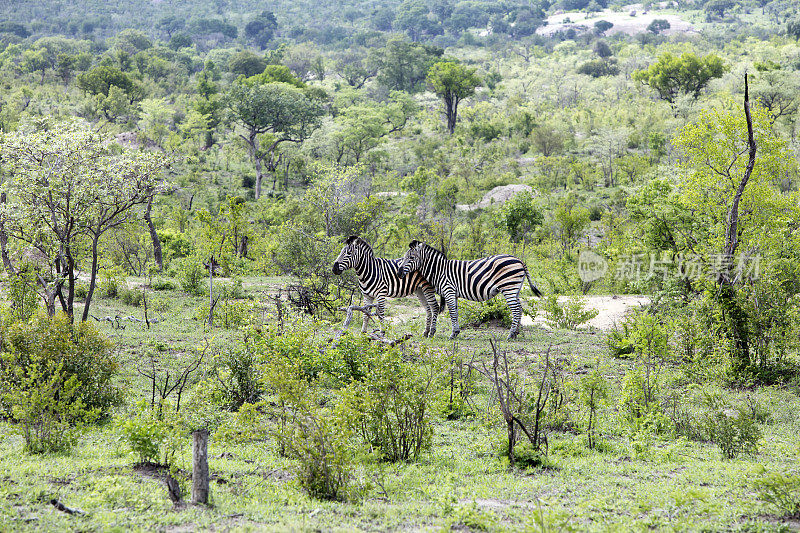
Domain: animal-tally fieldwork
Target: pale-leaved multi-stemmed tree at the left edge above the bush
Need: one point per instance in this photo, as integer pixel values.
(67, 186)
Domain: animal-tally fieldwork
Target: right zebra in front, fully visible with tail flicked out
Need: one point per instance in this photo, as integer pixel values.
(481, 279)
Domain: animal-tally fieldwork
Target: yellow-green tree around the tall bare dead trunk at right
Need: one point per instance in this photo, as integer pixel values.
(693, 214)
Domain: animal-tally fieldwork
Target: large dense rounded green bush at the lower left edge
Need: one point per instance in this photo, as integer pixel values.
(55, 377)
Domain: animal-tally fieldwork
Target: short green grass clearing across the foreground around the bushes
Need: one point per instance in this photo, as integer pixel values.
(634, 482)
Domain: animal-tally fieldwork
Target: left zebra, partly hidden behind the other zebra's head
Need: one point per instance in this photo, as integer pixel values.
(380, 278)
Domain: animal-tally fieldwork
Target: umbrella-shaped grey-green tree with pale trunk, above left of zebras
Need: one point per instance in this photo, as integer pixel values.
(275, 108)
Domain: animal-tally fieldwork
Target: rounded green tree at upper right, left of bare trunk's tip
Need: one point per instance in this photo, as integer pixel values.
(688, 74)
